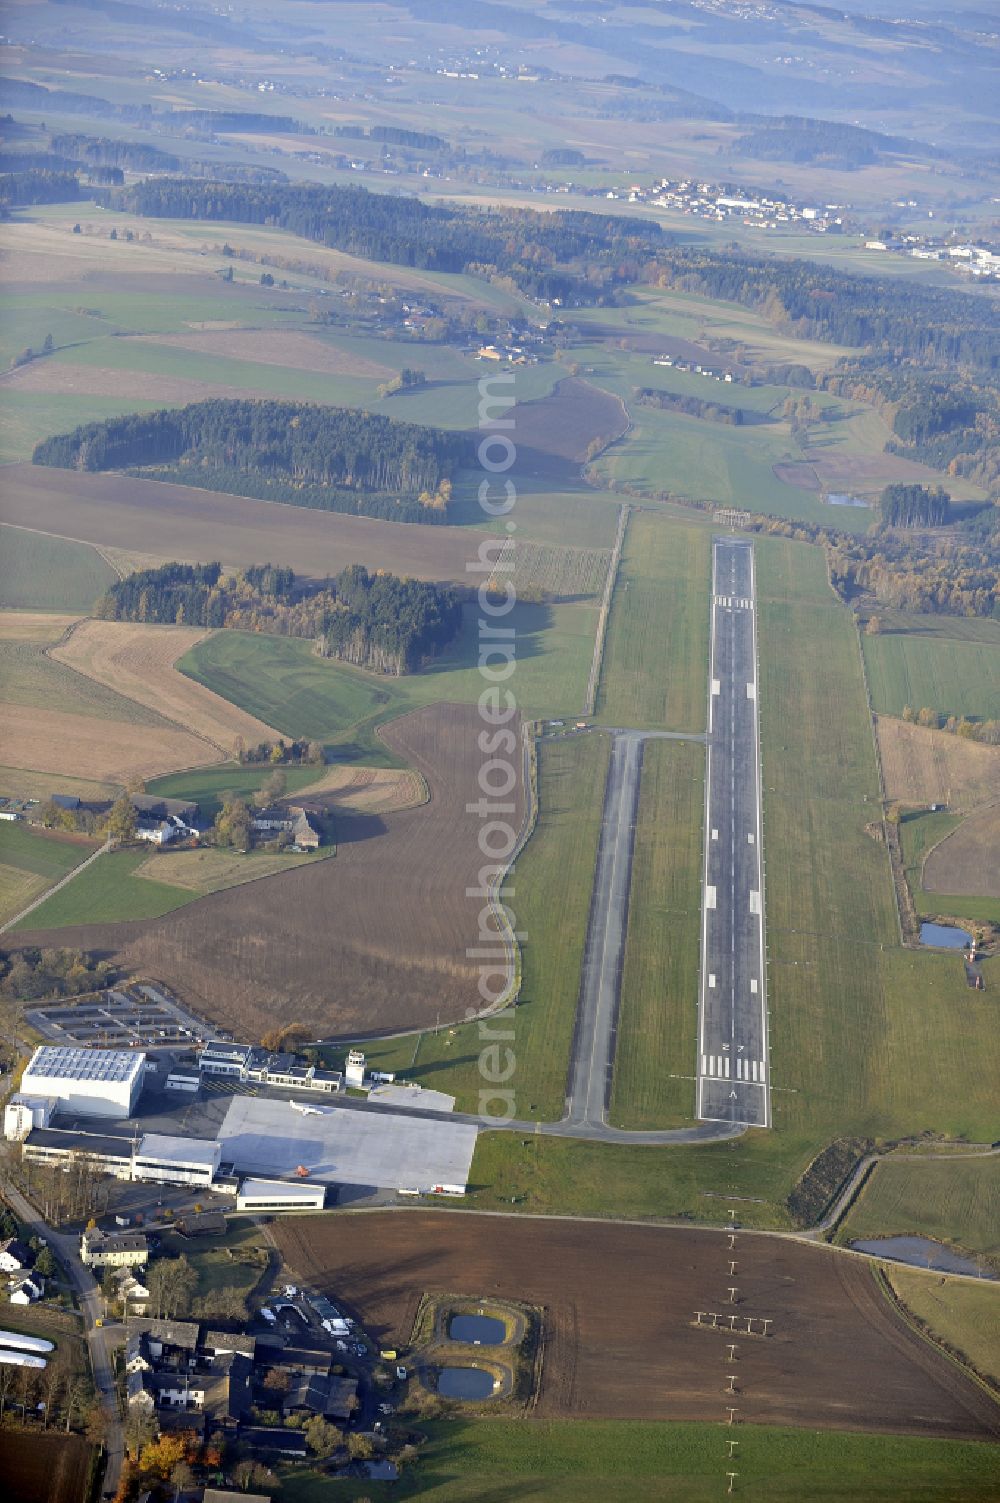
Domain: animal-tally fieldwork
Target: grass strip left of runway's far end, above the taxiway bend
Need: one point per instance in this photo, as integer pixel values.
(656, 656)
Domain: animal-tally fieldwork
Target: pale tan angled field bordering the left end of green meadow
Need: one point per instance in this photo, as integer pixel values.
(139, 662)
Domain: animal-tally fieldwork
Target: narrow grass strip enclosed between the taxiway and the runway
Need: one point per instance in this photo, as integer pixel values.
(659, 988)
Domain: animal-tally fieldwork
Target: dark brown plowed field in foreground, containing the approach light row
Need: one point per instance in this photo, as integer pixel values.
(620, 1328)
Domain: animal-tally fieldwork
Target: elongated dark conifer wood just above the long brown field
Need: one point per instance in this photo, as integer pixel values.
(330, 458)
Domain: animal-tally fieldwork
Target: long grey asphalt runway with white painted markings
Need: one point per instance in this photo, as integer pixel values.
(733, 1056)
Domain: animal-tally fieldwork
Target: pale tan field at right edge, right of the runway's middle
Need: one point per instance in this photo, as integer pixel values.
(933, 767)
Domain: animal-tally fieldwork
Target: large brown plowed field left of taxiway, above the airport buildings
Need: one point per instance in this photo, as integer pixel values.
(372, 940)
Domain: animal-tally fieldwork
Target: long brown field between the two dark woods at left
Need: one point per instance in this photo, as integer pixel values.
(196, 527)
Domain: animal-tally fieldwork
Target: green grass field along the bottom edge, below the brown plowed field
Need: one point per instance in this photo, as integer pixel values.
(632, 1462)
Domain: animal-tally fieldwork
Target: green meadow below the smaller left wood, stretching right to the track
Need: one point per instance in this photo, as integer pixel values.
(283, 682)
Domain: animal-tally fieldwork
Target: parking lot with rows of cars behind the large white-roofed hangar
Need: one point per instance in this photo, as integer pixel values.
(123, 1018)
